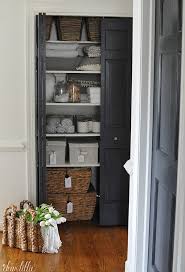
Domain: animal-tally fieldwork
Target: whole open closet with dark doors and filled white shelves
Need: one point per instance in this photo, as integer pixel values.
(83, 116)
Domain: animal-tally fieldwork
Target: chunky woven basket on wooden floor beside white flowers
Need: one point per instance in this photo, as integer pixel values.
(19, 233)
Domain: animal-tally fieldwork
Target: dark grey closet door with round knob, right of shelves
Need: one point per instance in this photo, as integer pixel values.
(115, 120)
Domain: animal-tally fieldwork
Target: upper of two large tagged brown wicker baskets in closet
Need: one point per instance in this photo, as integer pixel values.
(80, 179)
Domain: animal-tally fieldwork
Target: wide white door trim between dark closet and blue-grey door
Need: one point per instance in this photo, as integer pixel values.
(141, 133)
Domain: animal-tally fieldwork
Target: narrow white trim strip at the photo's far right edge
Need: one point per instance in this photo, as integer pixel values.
(179, 240)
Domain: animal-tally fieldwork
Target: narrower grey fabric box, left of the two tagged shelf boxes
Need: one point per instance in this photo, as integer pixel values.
(55, 152)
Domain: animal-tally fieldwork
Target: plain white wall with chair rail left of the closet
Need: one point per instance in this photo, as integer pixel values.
(13, 186)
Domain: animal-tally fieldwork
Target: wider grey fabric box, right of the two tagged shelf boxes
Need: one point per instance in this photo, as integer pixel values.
(83, 152)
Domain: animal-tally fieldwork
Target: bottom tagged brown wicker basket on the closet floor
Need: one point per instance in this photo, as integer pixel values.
(83, 205)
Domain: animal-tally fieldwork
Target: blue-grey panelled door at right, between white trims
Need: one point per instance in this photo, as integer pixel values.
(165, 134)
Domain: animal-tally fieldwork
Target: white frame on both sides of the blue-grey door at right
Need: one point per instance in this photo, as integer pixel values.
(143, 79)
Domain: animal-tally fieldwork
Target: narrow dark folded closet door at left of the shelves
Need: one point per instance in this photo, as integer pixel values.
(40, 108)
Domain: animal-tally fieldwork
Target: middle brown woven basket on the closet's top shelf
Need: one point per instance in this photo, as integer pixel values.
(69, 28)
